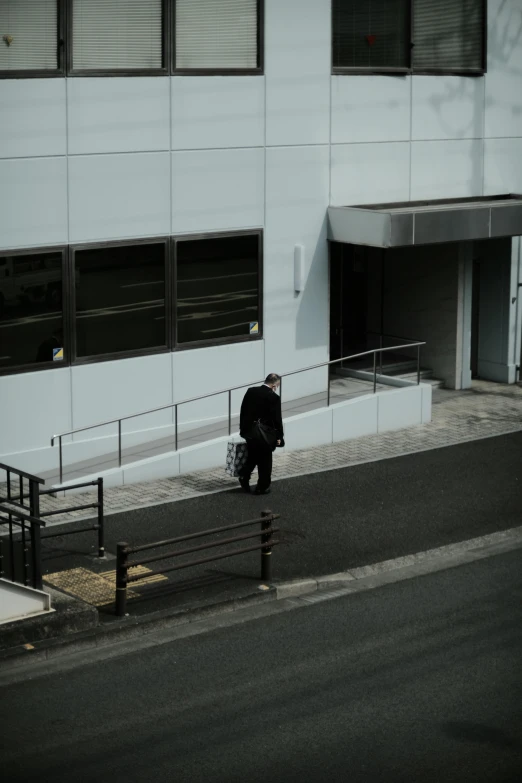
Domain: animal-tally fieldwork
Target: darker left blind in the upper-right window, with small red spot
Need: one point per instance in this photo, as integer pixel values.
(371, 33)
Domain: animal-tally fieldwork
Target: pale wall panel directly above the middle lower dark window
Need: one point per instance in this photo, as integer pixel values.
(112, 196)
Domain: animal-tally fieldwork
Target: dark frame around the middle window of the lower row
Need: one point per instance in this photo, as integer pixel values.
(132, 353)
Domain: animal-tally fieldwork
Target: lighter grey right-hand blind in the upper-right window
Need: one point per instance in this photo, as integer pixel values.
(448, 34)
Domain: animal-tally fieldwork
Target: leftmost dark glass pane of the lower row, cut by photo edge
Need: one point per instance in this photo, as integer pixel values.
(31, 323)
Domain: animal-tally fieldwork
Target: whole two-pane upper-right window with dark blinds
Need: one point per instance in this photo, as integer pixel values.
(409, 36)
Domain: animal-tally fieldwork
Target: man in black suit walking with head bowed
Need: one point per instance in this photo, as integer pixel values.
(260, 402)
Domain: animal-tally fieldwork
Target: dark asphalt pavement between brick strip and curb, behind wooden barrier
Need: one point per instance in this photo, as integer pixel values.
(347, 517)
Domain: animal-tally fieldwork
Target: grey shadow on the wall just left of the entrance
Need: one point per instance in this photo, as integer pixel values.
(312, 322)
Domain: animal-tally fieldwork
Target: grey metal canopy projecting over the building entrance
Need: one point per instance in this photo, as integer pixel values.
(426, 222)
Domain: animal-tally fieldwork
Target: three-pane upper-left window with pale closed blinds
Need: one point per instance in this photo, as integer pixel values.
(134, 37)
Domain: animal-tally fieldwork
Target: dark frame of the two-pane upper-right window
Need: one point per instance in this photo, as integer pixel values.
(411, 70)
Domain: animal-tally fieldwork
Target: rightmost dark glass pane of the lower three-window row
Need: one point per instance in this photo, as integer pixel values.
(217, 288)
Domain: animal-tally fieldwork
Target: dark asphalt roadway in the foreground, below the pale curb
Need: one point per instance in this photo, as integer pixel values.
(416, 681)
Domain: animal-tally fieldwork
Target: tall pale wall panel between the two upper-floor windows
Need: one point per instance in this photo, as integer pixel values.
(297, 67)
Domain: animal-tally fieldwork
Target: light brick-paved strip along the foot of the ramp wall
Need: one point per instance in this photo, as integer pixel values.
(486, 410)
